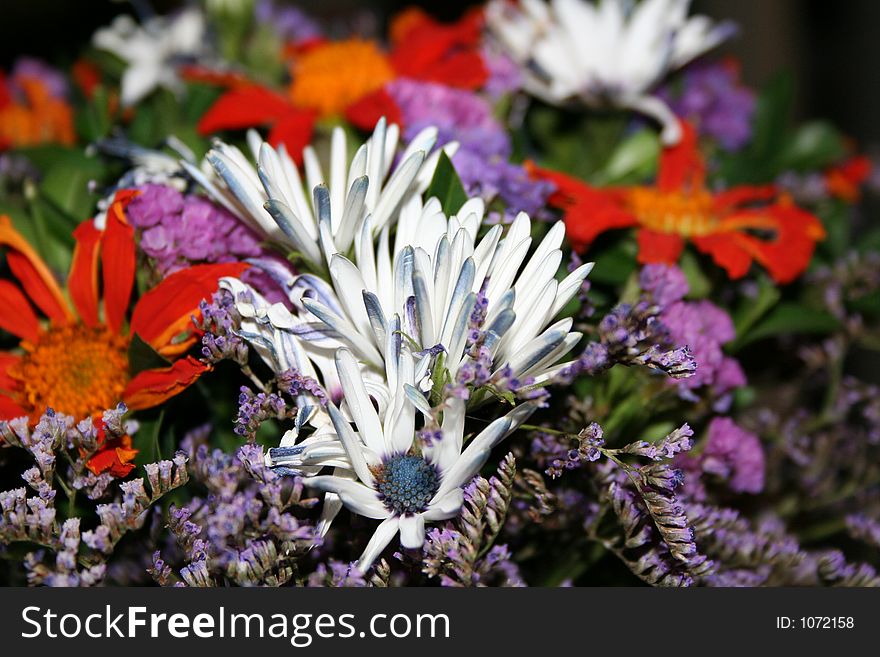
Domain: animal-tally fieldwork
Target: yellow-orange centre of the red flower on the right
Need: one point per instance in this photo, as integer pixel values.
(684, 213)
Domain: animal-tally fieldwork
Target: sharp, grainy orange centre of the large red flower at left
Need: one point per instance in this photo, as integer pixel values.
(73, 369)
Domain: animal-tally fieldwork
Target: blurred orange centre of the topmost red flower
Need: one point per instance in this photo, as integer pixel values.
(332, 76)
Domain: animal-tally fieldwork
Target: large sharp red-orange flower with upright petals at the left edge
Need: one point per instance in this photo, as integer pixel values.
(78, 364)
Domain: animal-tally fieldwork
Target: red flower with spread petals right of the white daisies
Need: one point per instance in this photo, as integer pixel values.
(735, 227)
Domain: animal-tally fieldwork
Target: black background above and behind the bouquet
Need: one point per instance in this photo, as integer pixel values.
(831, 47)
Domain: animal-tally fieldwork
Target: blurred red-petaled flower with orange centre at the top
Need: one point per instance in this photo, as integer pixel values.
(348, 78)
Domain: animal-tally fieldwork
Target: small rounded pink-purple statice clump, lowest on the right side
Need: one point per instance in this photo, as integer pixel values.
(735, 455)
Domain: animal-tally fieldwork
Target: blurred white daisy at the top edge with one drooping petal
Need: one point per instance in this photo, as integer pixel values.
(607, 54)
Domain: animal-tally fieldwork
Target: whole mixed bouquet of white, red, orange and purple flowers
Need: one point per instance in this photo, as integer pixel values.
(543, 296)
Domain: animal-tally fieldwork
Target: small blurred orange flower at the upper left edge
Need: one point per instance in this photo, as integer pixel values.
(36, 118)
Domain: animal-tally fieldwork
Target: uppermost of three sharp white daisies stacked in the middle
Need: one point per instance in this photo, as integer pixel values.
(320, 215)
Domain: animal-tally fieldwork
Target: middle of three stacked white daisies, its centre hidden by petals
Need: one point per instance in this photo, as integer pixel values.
(436, 276)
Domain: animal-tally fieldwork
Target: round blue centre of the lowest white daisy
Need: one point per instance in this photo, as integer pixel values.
(406, 483)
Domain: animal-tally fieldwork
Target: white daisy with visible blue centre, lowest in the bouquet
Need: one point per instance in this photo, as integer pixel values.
(379, 474)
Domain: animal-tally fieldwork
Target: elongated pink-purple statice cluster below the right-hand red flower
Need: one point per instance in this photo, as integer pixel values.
(701, 325)
